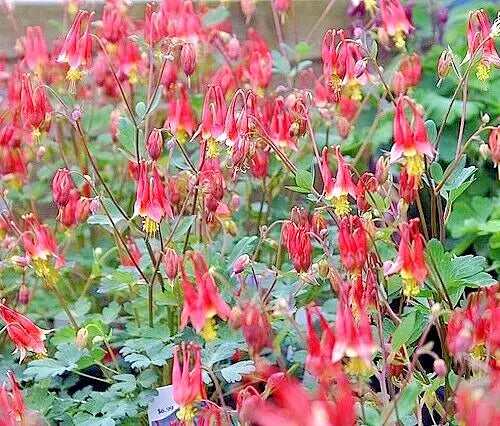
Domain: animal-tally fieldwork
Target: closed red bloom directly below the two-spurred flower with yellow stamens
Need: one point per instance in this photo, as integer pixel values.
(353, 245)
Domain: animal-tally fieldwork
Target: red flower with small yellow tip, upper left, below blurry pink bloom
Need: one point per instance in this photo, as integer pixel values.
(35, 108)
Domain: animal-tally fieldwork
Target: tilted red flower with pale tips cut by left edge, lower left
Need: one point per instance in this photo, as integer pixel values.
(25, 335)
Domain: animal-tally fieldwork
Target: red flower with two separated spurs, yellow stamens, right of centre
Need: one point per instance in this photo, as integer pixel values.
(337, 189)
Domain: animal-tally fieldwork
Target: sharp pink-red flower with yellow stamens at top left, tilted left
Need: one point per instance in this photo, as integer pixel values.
(77, 46)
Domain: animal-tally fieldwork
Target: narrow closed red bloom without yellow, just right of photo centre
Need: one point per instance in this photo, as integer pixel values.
(297, 240)
